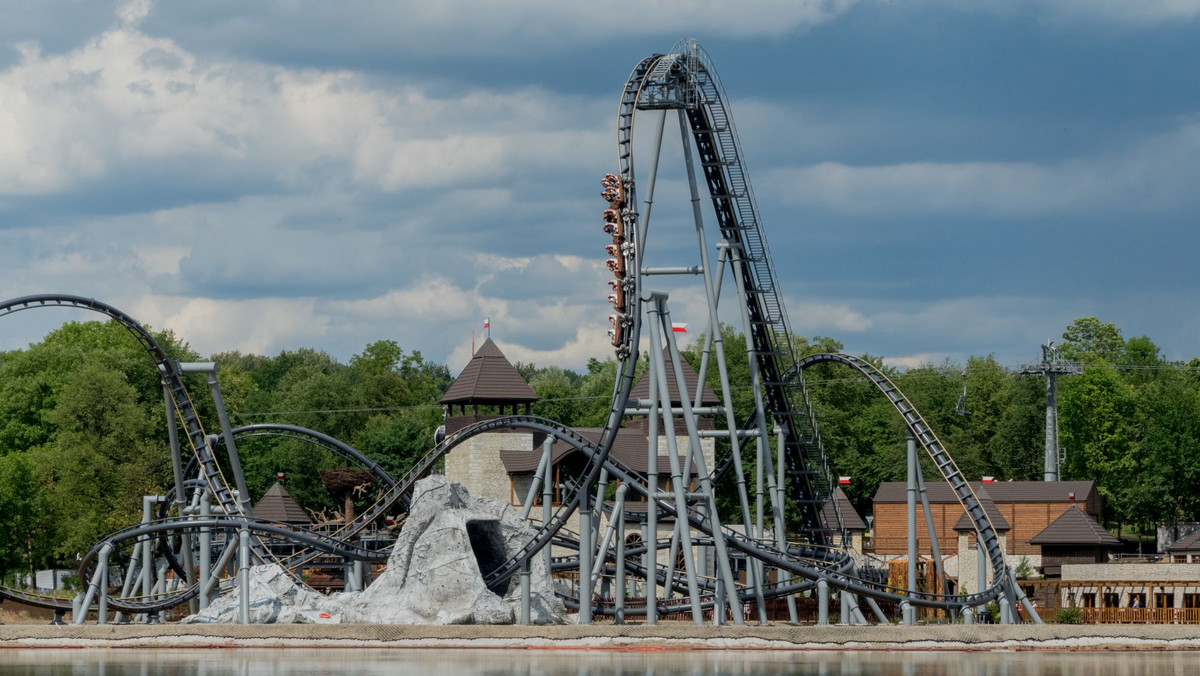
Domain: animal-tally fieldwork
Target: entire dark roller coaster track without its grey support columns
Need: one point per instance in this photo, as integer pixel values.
(686, 81)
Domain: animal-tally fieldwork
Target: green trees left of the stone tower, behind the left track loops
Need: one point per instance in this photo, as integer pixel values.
(83, 428)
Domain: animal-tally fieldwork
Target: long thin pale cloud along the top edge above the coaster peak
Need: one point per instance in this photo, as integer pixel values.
(387, 33)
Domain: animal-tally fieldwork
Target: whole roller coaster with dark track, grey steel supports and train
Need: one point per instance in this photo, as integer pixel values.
(182, 554)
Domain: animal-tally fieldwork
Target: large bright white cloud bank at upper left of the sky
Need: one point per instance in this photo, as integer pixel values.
(127, 104)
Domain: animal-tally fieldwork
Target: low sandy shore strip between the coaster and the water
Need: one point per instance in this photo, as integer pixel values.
(607, 637)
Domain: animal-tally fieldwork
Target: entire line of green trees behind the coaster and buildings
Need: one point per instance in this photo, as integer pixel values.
(83, 423)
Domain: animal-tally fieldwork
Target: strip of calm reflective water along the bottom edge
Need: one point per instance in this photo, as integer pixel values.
(431, 662)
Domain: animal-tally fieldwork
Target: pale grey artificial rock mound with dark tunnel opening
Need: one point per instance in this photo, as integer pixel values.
(435, 575)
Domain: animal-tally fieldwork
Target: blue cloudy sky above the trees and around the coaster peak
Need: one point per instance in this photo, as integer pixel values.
(937, 180)
